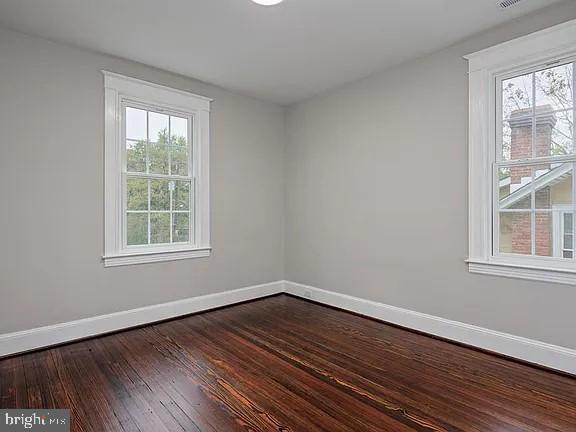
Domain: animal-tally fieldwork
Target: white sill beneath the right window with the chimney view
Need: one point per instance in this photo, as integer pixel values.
(519, 271)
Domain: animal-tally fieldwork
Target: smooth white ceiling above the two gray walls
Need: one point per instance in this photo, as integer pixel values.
(282, 53)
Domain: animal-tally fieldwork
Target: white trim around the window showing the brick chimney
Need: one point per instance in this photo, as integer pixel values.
(485, 67)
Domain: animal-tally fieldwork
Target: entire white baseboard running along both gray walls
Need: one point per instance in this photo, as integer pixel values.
(552, 356)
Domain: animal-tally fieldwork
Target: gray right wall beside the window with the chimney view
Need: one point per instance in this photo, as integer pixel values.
(377, 196)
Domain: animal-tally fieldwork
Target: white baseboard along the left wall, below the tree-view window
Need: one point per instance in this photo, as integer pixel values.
(27, 340)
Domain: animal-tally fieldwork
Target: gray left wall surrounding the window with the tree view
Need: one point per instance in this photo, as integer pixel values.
(51, 186)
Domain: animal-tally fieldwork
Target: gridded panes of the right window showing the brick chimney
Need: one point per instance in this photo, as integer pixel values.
(533, 172)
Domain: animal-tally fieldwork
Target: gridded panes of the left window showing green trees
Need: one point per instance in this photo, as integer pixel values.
(157, 178)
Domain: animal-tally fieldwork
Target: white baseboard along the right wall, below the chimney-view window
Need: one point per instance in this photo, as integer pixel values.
(551, 356)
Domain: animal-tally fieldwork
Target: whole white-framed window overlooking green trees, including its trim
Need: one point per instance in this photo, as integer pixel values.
(156, 206)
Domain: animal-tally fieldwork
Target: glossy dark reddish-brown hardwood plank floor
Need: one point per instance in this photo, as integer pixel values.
(283, 364)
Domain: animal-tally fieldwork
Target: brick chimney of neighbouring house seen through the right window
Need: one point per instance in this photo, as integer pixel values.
(521, 148)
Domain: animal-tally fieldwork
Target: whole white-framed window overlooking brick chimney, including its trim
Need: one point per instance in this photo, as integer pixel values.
(522, 157)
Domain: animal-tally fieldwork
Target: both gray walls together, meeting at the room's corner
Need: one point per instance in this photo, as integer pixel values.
(361, 191)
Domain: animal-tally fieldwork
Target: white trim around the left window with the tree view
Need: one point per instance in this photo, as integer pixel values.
(117, 89)
